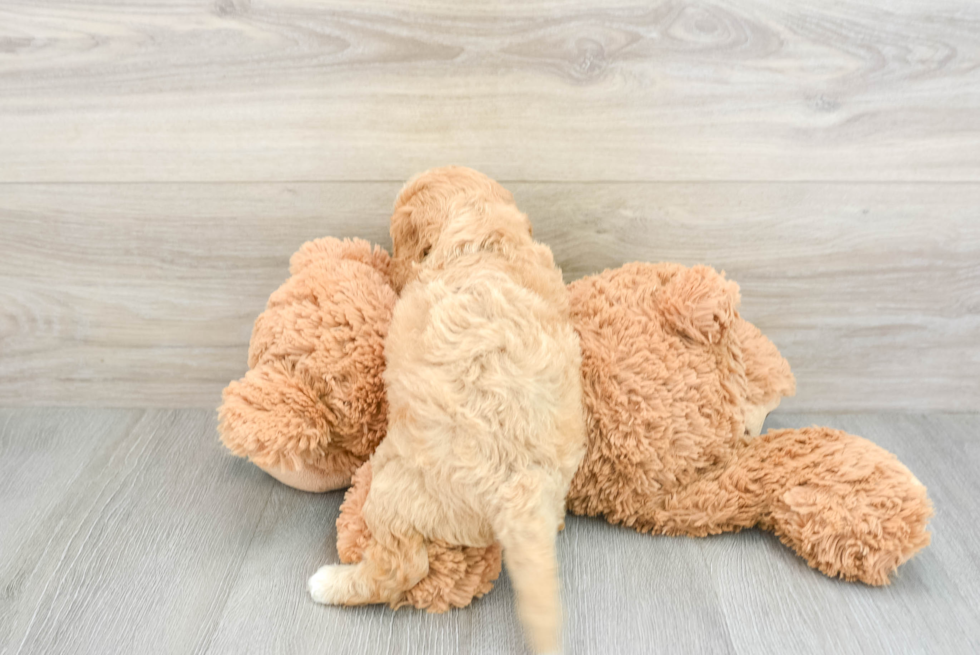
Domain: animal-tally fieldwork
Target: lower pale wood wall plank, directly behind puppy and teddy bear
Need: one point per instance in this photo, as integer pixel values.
(144, 295)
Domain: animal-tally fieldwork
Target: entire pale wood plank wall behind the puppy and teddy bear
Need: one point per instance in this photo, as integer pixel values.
(160, 161)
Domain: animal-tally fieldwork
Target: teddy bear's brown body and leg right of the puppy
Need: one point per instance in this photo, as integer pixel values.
(673, 383)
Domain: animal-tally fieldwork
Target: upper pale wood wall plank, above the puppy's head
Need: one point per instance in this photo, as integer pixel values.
(240, 90)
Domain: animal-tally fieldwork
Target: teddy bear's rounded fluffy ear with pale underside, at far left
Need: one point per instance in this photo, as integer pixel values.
(278, 422)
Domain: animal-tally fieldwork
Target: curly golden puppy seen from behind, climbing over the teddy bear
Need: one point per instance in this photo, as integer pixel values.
(485, 428)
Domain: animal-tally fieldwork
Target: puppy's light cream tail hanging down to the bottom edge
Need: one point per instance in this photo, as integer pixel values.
(526, 527)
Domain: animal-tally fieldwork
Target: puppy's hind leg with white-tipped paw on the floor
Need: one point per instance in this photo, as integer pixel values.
(393, 563)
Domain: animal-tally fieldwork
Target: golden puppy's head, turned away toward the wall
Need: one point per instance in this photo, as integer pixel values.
(447, 207)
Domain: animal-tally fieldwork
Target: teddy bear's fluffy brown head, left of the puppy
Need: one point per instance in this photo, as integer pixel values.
(312, 407)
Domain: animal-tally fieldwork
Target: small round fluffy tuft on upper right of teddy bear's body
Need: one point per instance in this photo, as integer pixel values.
(700, 304)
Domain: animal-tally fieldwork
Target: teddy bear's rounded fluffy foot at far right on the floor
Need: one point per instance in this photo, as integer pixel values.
(845, 505)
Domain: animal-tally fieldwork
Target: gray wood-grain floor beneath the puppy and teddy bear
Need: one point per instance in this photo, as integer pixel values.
(131, 531)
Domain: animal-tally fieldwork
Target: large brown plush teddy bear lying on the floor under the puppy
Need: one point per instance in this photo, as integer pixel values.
(676, 388)
